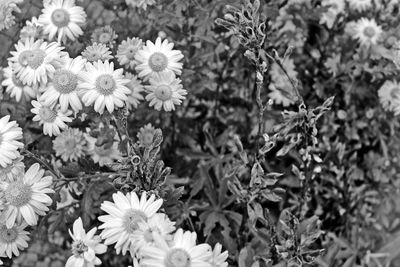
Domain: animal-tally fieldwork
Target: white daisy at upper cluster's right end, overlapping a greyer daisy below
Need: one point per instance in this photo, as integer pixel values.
(158, 57)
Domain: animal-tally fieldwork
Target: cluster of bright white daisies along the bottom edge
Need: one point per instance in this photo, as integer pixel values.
(137, 226)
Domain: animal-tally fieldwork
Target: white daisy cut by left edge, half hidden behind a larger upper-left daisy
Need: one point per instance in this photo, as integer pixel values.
(15, 87)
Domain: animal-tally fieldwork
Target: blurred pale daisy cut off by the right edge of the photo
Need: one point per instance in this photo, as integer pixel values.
(389, 96)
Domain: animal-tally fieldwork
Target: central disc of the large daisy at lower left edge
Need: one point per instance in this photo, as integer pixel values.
(18, 194)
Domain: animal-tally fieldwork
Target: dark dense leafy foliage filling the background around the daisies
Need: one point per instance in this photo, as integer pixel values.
(311, 180)
